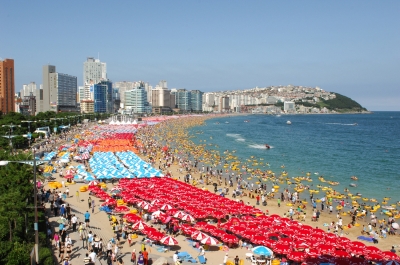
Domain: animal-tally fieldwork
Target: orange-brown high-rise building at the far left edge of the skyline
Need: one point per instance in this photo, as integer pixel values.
(7, 86)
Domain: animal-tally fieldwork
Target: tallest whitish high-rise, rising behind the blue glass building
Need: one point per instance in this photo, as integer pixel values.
(94, 71)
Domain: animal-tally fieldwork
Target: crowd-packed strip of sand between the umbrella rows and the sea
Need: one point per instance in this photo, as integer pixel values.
(167, 146)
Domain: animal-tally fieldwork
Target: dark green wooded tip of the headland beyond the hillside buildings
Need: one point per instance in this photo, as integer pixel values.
(341, 104)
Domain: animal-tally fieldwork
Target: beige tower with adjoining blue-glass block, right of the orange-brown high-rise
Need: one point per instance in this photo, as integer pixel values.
(59, 91)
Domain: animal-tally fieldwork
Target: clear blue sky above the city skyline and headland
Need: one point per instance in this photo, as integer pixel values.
(348, 47)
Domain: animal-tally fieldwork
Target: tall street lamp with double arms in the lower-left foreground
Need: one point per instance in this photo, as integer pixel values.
(35, 225)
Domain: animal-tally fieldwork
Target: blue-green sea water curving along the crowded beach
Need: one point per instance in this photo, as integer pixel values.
(335, 146)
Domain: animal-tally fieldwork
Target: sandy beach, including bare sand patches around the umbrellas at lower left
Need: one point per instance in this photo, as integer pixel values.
(168, 147)
